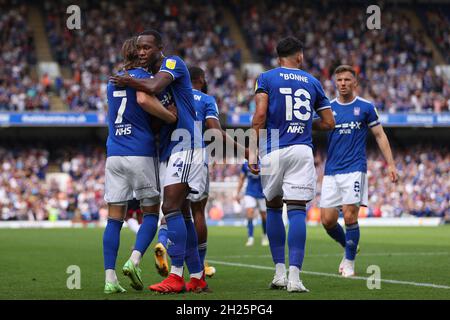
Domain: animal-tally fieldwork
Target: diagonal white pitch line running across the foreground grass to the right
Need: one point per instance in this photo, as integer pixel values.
(332, 275)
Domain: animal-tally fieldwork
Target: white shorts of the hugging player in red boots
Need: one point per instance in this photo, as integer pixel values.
(187, 167)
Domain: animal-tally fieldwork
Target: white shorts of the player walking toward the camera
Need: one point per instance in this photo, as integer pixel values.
(341, 189)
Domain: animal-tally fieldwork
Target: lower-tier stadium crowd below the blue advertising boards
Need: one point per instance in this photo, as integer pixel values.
(29, 192)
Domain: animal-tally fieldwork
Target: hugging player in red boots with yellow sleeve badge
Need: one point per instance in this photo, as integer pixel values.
(186, 169)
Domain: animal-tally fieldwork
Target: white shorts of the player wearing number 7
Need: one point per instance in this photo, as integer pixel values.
(128, 177)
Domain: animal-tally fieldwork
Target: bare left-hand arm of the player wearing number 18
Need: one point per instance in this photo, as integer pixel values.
(258, 123)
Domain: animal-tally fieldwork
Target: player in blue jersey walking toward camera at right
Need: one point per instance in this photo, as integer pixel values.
(345, 180)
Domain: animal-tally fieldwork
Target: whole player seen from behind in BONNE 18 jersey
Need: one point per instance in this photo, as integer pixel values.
(285, 99)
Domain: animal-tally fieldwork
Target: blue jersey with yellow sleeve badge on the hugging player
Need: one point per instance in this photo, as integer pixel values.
(187, 134)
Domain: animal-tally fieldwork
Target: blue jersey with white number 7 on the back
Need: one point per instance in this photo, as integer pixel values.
(129, 131)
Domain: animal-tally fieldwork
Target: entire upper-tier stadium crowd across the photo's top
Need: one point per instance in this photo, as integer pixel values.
(395, 66)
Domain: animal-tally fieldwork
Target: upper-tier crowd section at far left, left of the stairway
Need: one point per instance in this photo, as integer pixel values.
(18, 90)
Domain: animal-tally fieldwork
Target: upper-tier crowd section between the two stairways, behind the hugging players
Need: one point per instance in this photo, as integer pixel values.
(94, 54)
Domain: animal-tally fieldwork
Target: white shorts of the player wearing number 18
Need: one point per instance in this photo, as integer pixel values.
(289, 172)
